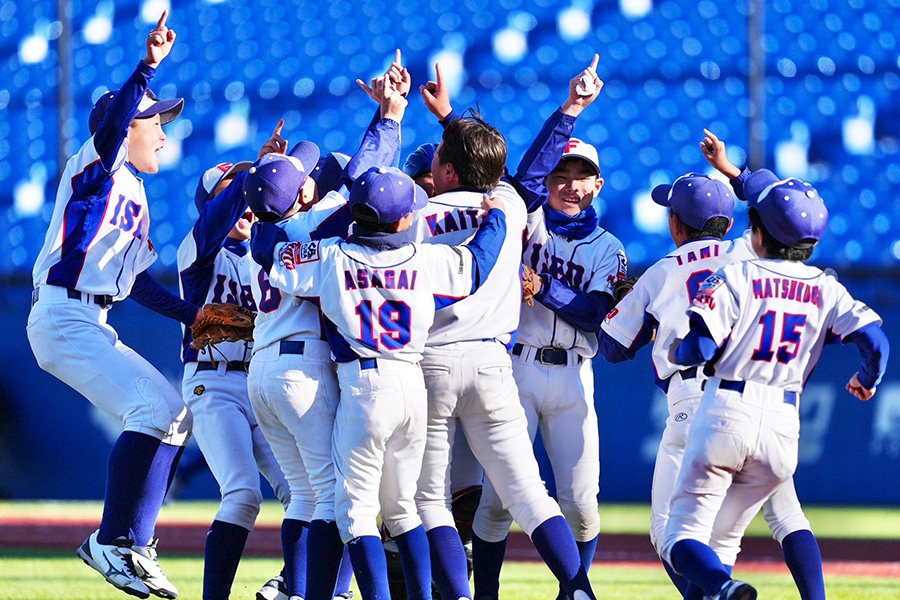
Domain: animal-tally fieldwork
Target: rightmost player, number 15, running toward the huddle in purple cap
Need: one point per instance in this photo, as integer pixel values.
(759, 325)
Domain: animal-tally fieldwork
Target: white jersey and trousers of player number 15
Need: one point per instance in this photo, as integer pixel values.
(771, 319)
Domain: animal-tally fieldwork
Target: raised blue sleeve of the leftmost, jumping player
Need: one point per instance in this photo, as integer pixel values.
(113, 129)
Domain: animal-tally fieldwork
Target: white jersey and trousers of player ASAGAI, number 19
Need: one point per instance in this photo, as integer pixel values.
(379, 304)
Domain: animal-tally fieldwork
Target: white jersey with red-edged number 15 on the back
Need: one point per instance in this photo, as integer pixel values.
(773, 318)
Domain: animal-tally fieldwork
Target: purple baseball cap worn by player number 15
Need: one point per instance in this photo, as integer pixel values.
(791, 209)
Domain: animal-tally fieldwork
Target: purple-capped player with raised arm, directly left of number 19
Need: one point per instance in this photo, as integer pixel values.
(293, 385)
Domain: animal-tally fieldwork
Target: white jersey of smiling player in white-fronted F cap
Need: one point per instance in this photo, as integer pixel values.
(592, 264)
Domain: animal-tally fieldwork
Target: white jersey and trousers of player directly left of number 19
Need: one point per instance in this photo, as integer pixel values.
(293, 381)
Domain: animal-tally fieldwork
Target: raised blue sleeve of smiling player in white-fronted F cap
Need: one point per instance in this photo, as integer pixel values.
(541, 158)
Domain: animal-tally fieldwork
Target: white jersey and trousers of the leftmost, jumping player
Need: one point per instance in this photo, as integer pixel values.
(97, 243)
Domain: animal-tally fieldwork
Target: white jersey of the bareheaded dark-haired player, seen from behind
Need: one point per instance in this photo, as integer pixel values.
(492, 312)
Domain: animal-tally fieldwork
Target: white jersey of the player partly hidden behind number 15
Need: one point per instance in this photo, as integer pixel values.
(665, 291)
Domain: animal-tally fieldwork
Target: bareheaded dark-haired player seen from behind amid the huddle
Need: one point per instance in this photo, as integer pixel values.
(467, 366)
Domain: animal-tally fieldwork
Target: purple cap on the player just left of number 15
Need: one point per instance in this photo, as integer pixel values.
(696, 199)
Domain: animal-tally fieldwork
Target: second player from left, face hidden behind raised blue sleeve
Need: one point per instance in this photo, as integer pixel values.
(215, 387)
